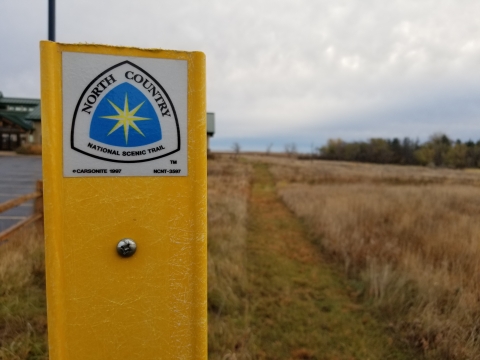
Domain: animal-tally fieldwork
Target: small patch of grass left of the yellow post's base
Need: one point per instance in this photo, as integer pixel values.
(23, 322)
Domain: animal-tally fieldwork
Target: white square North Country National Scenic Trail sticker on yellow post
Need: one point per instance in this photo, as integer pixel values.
(124, 116)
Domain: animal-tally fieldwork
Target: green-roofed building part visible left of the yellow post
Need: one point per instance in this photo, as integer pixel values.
(19, 122)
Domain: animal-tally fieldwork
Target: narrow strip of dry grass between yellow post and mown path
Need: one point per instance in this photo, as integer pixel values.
(228, 326)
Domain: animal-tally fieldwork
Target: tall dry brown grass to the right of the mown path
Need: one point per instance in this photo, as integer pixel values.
(411, 234)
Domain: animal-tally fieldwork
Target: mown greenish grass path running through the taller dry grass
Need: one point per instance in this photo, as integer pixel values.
(300, 309)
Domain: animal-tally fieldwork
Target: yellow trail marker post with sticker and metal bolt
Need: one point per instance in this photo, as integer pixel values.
(124, 167)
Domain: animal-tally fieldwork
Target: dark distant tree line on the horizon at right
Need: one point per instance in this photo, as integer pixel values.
(439, 150)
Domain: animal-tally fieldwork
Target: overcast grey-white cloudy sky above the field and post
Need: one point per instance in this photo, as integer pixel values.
(286, 71)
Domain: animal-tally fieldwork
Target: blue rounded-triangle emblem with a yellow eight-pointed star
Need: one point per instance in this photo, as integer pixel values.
(126, 118)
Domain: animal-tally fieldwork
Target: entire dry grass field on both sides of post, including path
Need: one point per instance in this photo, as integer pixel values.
(311, 260)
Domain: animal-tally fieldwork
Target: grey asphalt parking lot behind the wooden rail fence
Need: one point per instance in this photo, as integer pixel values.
(18, 175)
